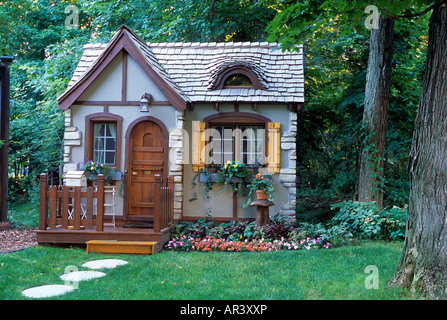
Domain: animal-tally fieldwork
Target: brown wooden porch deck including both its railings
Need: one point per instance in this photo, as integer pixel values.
(67, 215)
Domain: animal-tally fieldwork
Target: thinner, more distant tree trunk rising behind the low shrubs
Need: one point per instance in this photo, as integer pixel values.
(378, 81)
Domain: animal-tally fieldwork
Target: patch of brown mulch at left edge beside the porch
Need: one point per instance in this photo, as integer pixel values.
(17, 239)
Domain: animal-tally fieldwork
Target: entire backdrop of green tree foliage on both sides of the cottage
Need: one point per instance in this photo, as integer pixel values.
(336, 49)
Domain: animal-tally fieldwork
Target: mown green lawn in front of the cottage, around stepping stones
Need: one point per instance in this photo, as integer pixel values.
(337, 273)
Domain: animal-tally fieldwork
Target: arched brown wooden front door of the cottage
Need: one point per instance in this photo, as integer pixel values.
(146, 158)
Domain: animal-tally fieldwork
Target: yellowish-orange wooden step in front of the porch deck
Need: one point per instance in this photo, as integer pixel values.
(114, 246)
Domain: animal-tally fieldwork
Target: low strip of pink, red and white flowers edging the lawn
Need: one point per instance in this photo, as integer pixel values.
(207, 244)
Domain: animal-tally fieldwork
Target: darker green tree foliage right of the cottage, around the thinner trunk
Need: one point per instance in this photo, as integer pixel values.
(337, 48)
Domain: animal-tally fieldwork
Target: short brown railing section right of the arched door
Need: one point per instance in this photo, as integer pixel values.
(164, 193)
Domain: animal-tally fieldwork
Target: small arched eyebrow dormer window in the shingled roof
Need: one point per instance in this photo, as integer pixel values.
(238, 77)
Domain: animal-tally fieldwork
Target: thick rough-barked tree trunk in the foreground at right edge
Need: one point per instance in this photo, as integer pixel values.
(423, 264)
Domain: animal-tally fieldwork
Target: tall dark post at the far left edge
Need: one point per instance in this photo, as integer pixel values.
(4, 137)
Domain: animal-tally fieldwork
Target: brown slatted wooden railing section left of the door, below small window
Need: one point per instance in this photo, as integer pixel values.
(61, 206)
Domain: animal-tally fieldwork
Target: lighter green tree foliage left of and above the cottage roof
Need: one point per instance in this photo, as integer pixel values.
(46, 53)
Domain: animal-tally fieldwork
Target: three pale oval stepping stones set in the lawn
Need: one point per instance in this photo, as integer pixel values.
(72, 279)
